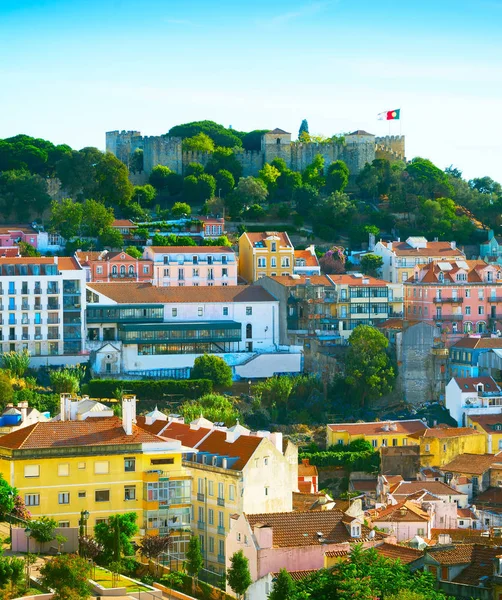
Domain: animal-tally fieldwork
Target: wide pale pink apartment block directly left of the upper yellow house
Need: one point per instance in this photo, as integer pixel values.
(192, 265)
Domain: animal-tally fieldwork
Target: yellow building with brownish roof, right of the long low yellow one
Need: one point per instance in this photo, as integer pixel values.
(441, 445)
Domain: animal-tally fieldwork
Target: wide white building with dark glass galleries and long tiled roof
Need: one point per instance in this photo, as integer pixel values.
(141, 329)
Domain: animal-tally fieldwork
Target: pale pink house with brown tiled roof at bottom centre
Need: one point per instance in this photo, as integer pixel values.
(293, 541)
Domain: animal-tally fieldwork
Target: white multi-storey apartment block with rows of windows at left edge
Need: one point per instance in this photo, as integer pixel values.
(42, 305)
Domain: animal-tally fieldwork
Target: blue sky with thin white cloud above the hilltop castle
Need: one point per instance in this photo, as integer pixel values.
(72, 69)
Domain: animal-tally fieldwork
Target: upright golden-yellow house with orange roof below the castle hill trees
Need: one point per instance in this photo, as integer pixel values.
(265, 253)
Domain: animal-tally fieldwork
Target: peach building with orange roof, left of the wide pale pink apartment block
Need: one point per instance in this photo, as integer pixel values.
(106, 267)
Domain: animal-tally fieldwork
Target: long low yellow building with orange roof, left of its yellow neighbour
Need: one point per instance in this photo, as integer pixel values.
(379, 433)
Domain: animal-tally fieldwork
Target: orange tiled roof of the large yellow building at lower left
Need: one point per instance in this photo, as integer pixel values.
(96, 431)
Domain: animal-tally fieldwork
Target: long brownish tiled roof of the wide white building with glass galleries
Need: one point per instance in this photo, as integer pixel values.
(145, 293)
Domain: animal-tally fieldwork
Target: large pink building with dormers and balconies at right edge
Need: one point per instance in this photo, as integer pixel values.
(461, 296)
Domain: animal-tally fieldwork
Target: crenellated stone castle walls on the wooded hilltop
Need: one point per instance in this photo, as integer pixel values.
(358, 148)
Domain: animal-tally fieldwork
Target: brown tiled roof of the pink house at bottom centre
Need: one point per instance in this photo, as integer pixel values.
(293, 529)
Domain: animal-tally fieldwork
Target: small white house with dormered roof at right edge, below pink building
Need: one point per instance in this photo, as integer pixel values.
(472, 396)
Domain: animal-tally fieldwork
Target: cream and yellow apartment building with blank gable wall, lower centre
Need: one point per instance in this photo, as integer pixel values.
(234, 471)
